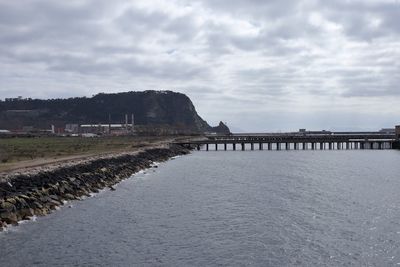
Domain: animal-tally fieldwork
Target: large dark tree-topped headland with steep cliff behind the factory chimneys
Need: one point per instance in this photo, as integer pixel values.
(149, 108)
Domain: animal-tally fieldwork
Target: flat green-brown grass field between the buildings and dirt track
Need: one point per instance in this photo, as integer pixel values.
(22, 149)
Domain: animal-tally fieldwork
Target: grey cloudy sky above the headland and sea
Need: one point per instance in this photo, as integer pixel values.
(258, 65)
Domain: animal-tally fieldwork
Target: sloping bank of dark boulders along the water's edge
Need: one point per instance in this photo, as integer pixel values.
(27, 195)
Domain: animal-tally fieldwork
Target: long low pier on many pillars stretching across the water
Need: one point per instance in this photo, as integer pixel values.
(321, 140)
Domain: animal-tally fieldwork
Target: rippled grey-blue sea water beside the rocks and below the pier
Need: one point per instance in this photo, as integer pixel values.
(259, 208)
